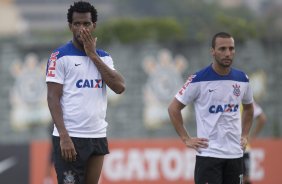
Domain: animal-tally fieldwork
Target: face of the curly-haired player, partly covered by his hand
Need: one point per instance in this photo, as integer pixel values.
(81, 21)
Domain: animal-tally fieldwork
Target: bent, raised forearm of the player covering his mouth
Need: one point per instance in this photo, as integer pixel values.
(111, 77)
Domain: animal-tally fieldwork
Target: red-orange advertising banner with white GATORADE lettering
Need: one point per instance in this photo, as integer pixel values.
(160, 161)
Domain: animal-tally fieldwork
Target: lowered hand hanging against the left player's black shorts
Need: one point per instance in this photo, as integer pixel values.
(67, 149)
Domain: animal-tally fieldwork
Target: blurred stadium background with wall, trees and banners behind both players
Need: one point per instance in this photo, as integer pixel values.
(155, 45)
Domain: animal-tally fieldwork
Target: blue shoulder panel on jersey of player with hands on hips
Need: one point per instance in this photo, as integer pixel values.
(208, 74)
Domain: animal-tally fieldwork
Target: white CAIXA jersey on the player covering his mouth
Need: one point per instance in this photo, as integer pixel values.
(84, 100)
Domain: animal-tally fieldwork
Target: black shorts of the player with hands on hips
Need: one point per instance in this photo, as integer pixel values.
(218, 170)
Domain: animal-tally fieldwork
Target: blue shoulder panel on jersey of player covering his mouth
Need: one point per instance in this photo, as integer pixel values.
(70, 50)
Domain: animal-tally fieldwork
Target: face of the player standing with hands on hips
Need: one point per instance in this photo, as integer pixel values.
(224, 51)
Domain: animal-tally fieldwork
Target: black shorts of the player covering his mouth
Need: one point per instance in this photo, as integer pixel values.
(74, 172)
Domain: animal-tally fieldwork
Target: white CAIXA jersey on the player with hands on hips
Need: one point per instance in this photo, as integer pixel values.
(217, 102)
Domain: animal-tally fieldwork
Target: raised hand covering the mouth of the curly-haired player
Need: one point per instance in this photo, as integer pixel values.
(89, 42)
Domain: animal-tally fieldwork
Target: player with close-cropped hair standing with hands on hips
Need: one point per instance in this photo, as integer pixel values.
(217, 92)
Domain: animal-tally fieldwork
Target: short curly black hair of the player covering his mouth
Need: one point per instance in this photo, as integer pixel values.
(82, 7)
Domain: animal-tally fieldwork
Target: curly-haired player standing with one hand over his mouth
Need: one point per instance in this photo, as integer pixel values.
(77, 75)
